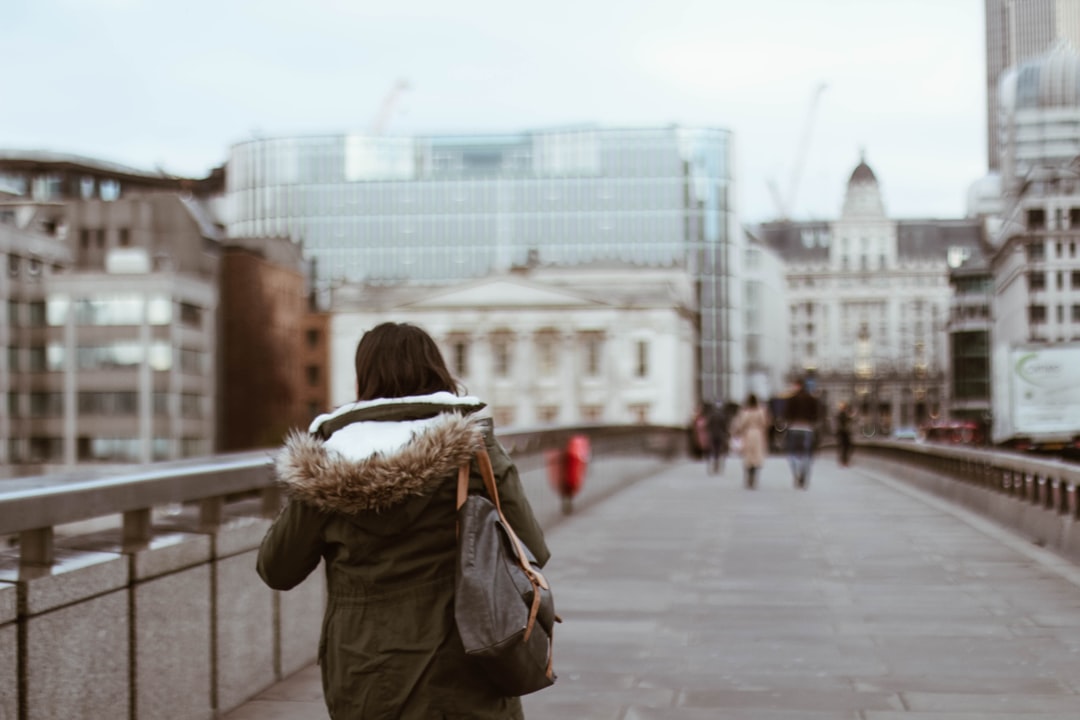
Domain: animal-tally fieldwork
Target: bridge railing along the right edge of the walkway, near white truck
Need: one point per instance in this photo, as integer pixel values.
(1038, 497)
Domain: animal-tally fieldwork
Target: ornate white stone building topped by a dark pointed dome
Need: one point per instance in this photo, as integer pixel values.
(869, 301)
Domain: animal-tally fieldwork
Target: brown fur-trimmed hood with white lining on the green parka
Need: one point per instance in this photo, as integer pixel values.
(375, 455)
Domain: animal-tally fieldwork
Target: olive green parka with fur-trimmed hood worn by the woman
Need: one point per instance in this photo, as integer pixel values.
(372, 492)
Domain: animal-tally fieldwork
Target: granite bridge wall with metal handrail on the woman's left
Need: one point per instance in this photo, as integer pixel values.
(136, 595)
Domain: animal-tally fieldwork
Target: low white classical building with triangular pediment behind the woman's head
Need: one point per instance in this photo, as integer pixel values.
(571, 346)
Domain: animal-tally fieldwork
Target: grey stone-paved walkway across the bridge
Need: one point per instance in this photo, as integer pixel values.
(687, 597)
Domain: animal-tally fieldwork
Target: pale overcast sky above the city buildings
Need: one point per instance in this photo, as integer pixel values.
(155, 84)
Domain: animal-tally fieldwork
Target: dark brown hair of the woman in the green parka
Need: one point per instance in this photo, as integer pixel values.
(398, 360)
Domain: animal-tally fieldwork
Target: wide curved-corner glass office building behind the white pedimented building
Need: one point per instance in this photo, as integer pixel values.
(450, 208)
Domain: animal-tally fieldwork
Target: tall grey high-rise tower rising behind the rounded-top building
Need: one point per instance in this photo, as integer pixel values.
(1018, 31)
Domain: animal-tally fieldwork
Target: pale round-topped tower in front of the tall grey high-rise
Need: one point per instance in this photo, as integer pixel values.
(1039, 115)
